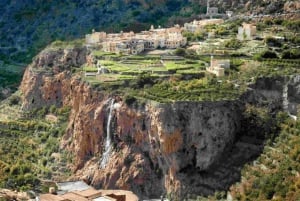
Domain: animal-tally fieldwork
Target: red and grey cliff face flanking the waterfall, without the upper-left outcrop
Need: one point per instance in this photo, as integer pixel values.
(155, 146)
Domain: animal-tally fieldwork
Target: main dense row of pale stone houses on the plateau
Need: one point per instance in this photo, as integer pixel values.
(131, 43)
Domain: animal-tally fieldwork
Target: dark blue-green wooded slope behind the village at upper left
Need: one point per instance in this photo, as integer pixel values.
(30, 25)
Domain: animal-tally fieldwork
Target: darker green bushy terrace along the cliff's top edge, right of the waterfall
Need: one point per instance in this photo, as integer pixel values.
(205, 89)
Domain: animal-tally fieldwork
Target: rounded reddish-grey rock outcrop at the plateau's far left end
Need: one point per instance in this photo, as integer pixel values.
(47, 80)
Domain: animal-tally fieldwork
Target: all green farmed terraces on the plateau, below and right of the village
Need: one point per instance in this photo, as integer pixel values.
(179, 75)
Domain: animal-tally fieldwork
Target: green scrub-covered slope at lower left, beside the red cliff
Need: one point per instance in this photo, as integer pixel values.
(29, 149)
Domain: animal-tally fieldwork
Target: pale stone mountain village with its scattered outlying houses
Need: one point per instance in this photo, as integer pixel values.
(172, 38)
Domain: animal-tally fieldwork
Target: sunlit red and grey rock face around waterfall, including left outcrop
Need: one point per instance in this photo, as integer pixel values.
(153, 144)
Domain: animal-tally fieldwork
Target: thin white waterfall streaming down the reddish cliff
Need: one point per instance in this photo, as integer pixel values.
(108, 145)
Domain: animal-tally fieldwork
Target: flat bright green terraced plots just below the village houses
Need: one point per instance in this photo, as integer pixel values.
(128, 67)
